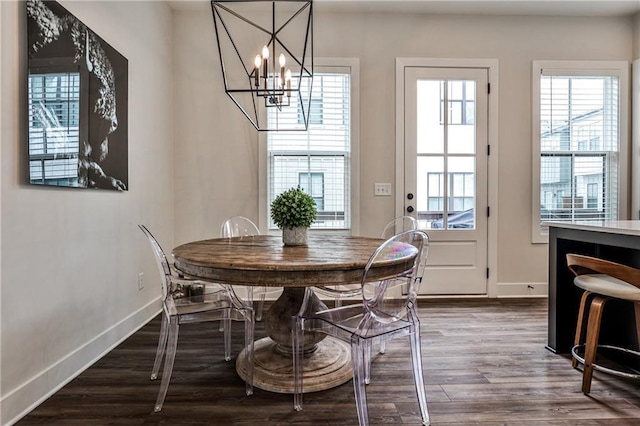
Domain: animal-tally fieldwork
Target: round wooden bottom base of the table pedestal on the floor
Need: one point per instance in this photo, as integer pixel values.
(329, 366)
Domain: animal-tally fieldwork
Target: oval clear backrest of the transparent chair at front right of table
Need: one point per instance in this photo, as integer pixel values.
(377, 292)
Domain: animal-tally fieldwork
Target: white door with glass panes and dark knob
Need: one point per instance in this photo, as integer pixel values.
(446, 173)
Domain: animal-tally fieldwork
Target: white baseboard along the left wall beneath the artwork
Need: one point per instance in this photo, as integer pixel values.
(18, 402)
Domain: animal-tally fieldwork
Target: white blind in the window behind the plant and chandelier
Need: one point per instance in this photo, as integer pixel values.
(317, 159)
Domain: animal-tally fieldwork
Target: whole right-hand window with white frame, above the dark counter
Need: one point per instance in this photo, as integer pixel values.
(579, 142)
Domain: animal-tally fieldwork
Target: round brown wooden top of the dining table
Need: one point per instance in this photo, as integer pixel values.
(263, 260)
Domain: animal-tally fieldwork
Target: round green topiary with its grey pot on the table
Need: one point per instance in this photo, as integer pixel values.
(294, 211)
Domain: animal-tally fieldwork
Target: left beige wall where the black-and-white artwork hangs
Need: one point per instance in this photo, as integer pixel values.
(70, 258)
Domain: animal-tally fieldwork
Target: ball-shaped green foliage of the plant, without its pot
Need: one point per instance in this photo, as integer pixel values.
(293, 208)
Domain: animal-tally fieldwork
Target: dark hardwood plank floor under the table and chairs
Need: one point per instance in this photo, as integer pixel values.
(485, 364)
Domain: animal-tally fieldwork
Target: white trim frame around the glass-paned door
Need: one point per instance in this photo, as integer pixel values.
(491, 65)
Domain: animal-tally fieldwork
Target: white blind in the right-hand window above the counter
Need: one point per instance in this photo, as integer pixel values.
(579, 146)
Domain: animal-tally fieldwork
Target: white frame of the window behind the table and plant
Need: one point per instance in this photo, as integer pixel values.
(322, 65)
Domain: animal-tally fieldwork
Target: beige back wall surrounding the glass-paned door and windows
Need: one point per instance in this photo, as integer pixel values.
(216, 173)
